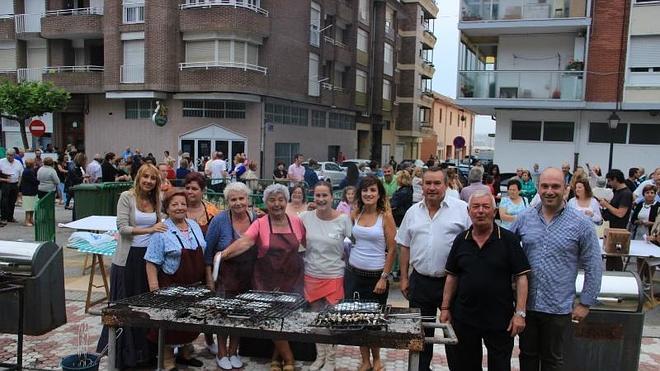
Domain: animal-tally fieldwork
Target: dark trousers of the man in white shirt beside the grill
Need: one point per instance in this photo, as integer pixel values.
(425, 293)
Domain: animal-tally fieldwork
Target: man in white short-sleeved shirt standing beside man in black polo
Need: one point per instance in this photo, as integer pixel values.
(426, 235)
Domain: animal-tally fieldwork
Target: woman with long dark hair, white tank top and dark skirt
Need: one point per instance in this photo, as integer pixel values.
(372, 257)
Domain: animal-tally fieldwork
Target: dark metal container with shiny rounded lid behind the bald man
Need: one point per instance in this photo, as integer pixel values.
(610, 337)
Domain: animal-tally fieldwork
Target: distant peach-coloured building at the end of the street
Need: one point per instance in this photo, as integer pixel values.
(450, 125)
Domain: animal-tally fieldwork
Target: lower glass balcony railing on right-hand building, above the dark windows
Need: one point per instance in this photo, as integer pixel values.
(563, 85)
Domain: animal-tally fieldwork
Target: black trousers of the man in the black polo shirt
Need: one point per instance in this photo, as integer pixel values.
(468, 353)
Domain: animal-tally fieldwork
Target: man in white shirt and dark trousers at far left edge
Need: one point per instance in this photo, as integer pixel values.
(10, 175)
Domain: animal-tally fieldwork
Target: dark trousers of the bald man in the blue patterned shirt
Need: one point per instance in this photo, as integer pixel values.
(542, 342)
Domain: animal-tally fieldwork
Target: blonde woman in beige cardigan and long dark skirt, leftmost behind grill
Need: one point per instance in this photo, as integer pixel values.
(138, 217)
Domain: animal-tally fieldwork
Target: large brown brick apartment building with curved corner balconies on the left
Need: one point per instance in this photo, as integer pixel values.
(263, 77)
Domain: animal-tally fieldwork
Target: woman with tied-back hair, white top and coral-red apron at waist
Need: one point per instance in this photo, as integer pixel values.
(324, 268)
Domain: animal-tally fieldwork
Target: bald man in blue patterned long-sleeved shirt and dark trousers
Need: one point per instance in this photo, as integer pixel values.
(557, 240)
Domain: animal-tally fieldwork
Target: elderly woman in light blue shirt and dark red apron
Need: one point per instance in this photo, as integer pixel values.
(176, 257)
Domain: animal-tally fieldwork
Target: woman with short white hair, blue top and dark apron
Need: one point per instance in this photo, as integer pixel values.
(236, 274)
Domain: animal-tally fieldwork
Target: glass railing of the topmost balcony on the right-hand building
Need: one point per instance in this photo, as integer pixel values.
(493, 10)
